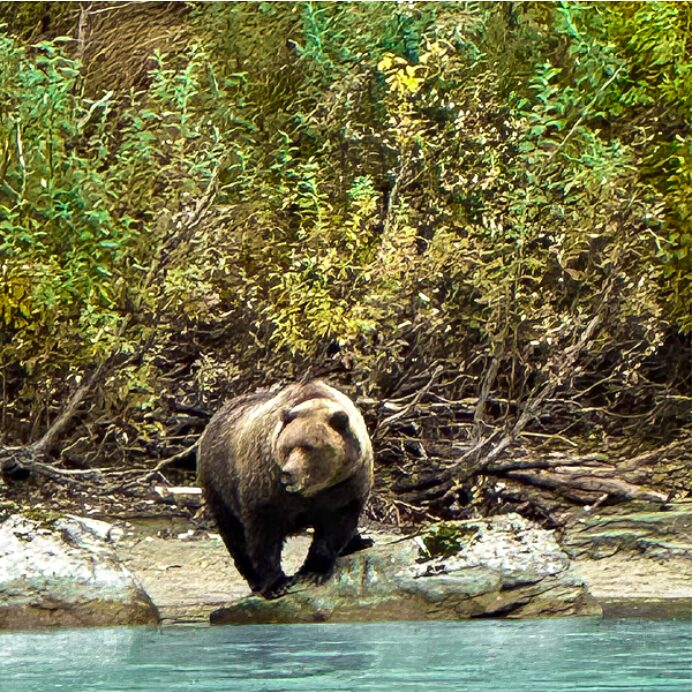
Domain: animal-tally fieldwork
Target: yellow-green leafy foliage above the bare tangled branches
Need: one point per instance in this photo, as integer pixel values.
(406, 182)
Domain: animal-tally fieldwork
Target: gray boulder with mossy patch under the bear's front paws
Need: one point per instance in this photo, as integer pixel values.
(499, 567)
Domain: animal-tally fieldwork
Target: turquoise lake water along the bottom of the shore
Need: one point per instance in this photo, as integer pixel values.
(500, 655)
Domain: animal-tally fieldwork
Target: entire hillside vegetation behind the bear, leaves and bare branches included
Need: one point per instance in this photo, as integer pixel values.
(473, 217)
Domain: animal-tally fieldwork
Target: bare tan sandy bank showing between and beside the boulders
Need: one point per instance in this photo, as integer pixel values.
(634, 565)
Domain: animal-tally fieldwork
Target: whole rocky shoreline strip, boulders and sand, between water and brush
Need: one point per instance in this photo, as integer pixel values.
(77, 572)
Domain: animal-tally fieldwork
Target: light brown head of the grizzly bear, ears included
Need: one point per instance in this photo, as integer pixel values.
(315, 447)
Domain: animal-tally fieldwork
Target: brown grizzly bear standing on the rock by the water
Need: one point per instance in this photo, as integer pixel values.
(273, 464)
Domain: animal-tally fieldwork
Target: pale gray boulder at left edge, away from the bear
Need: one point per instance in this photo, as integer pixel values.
(65, 573)
